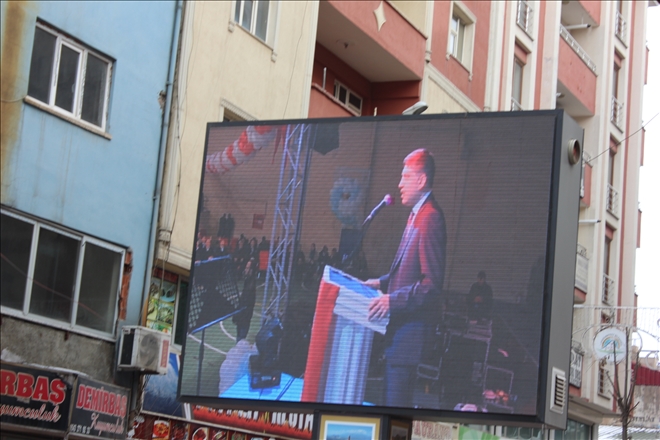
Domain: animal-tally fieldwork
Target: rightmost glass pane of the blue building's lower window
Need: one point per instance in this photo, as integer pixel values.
(99, 285)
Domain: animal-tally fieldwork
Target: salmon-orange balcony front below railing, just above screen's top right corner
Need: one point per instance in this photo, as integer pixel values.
(576, 76)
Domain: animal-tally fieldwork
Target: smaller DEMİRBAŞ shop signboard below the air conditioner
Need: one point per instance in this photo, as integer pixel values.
(100, 410)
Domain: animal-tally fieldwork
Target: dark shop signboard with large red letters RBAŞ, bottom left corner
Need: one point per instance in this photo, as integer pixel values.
(35, 399)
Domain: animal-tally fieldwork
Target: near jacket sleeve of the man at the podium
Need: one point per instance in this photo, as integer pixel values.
(430, 242)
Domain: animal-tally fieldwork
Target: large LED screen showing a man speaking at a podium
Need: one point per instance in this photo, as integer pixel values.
(373, 262)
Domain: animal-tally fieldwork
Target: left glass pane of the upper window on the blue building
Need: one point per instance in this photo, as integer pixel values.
(41, 66)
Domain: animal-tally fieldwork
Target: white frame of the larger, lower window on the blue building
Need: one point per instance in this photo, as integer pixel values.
(82, 239)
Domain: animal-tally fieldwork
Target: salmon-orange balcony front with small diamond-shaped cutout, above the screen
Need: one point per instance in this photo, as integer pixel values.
(397, 36)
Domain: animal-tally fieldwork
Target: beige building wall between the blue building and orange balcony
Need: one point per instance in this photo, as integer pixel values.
(225, 71)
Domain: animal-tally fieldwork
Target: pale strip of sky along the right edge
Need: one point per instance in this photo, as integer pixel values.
(648, 255)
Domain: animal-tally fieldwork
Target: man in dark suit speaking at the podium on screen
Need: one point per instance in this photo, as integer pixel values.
(414, 283)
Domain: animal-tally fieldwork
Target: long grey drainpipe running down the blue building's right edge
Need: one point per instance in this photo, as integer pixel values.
(158, 187)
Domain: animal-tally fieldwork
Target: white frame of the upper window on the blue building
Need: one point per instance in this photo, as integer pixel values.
(63, 40)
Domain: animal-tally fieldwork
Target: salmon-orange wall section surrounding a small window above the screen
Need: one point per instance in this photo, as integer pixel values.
(452, 68)
